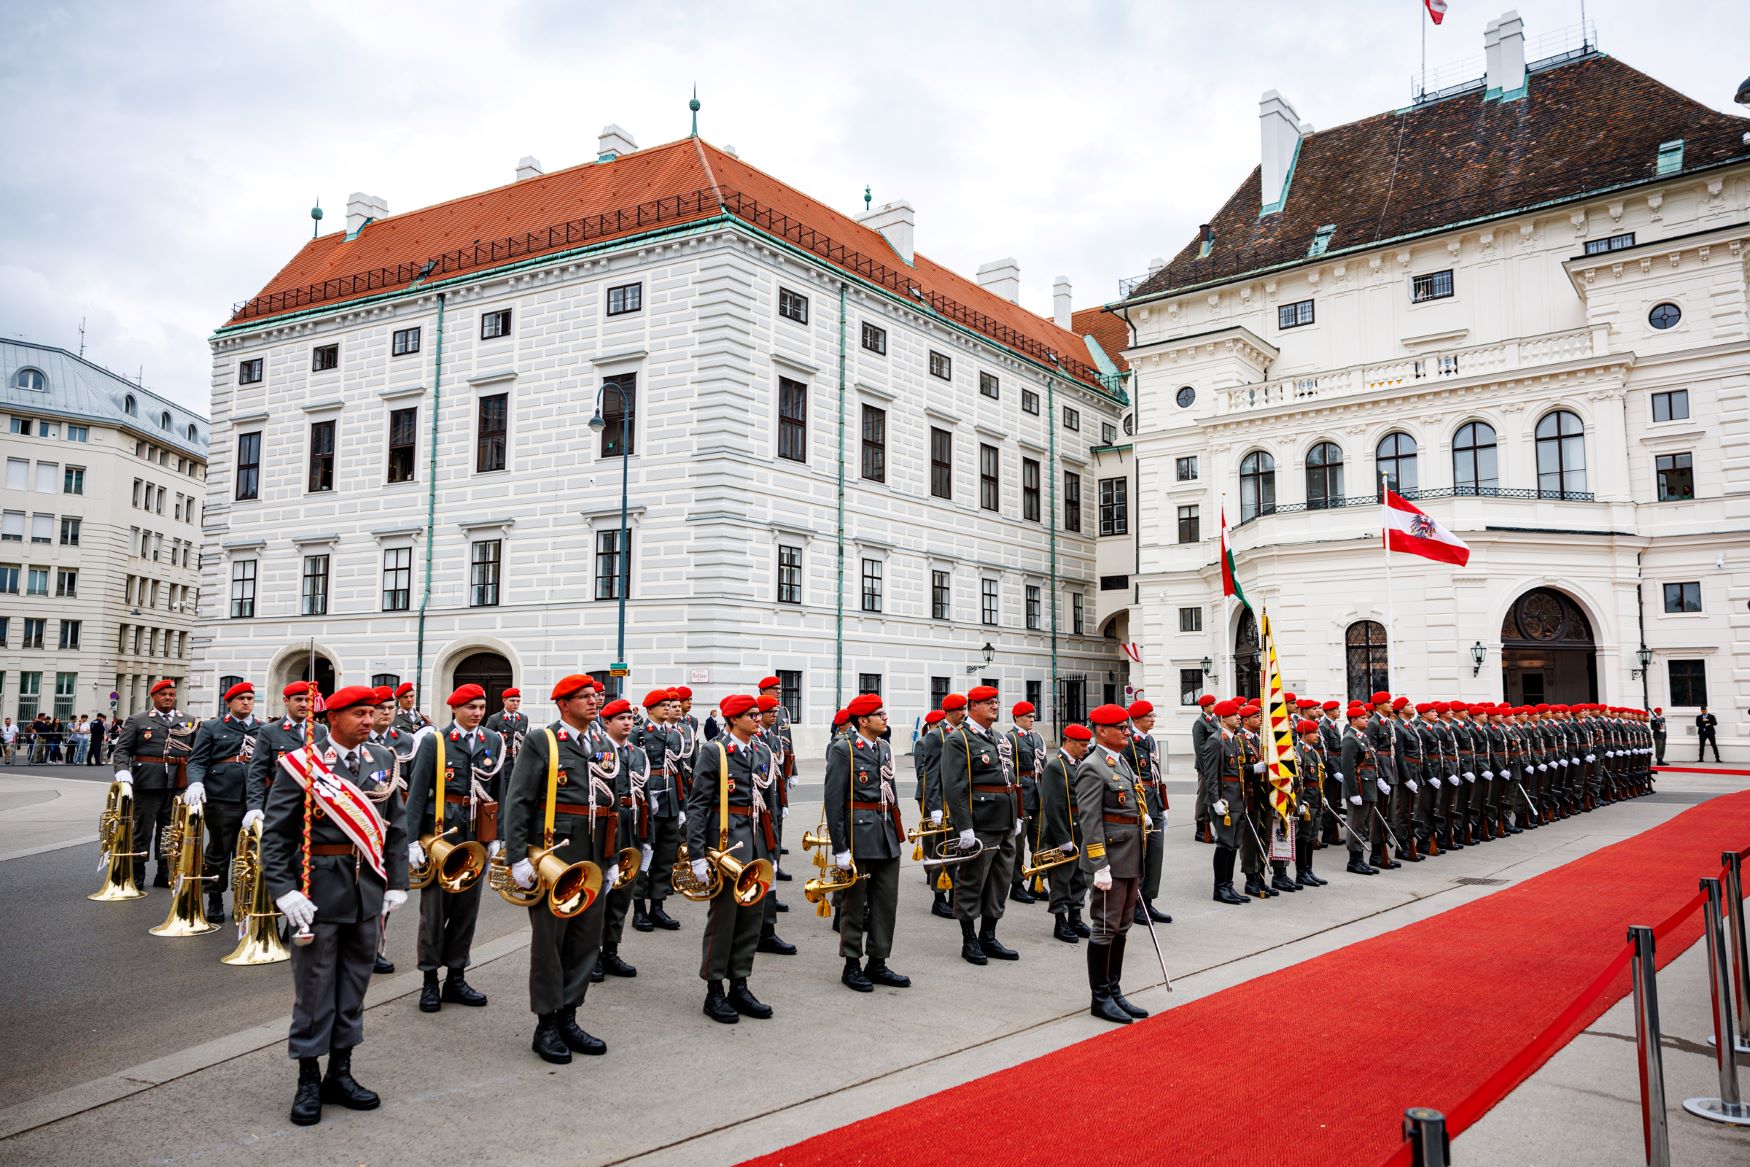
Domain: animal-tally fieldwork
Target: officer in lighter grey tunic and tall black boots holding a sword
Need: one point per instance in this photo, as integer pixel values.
(1114, 820)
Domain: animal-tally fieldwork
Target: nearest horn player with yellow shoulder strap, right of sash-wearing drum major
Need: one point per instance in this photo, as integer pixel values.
(563, 953)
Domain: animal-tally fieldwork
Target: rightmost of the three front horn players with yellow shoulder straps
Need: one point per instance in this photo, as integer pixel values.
(732, 771)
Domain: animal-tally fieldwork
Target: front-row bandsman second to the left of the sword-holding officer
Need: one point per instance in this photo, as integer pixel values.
(979, 788)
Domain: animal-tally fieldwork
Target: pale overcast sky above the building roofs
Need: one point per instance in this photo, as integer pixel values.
(162, 158)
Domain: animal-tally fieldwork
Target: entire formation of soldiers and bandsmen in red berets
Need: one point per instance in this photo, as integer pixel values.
(321, 821)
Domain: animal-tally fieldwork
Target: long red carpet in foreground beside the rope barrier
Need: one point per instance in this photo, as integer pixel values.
(1315, 1065)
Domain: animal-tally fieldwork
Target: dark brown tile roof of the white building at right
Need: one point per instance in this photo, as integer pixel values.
(1586, 125)
